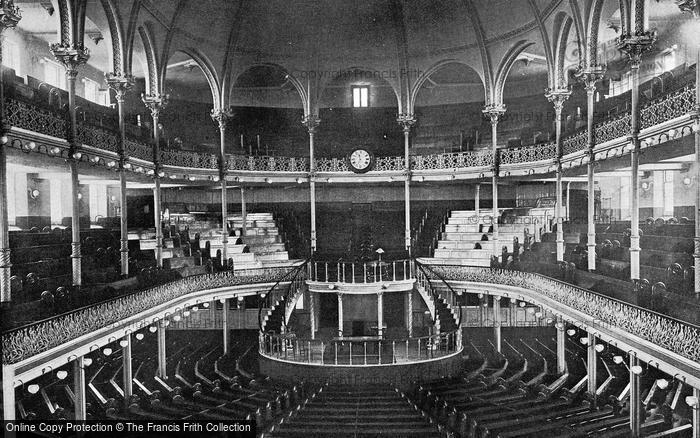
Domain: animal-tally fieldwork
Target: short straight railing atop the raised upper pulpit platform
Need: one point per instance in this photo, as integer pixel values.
(363, 272)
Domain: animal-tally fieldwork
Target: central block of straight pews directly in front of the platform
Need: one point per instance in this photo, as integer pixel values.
(356, 411)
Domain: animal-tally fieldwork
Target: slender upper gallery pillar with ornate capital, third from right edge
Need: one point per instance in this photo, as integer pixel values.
(590, 76)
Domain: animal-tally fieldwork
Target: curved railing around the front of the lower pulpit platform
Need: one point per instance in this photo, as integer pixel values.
(358, 352)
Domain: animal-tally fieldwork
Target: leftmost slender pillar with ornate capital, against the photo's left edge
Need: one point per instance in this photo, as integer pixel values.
(9, 17)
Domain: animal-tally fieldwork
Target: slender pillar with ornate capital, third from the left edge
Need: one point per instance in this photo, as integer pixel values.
(121, 84)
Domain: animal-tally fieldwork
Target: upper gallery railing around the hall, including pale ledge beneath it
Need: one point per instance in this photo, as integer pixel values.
(28, 118)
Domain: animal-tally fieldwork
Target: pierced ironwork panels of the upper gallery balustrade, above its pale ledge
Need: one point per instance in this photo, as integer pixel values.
(31, 117)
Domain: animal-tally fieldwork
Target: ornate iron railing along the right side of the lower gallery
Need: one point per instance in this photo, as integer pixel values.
(666, 332)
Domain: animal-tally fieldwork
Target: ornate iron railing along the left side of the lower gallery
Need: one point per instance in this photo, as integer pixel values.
(28, 341)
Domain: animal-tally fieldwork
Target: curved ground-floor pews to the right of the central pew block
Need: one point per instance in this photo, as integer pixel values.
(518, 394)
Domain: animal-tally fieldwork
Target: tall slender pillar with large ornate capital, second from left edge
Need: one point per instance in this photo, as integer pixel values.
(72, 57)
